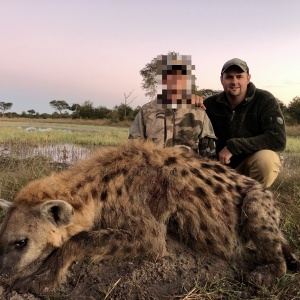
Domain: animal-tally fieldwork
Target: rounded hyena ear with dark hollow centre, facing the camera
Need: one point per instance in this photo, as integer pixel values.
(58, 212)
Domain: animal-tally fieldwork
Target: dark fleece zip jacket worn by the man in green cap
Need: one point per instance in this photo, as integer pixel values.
(255, 124)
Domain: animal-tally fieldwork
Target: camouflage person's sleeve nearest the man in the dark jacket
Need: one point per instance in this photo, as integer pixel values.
(207, 140)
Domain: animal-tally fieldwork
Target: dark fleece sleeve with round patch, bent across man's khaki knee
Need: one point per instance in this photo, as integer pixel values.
(273, 128)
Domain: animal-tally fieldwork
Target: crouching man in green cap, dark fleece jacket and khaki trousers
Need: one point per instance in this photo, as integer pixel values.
(248, 123)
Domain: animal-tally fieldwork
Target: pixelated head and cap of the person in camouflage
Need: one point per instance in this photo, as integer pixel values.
(175, 82)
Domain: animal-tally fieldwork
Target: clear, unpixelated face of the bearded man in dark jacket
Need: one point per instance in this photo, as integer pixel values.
(235, 82)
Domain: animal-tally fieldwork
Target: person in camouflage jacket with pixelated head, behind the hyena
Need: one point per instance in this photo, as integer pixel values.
(172, 119)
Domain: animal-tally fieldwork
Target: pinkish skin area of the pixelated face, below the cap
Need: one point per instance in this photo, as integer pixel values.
(176, 83)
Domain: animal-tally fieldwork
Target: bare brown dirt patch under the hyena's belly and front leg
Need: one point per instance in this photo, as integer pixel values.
(168, 278)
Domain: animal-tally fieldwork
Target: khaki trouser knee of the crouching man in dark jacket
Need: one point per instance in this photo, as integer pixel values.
(262, 166)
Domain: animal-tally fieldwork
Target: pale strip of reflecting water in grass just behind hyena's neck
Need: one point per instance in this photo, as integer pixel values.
(65, 153)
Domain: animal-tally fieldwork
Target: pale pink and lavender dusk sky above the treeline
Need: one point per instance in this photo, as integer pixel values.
(94, 49)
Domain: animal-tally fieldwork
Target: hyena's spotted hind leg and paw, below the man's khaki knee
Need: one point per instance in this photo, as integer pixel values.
(260, 223)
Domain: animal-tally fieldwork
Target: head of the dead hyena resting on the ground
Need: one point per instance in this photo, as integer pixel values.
(30, 232)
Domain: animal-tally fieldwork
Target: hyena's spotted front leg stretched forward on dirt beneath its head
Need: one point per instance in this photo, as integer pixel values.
(101, 244)
